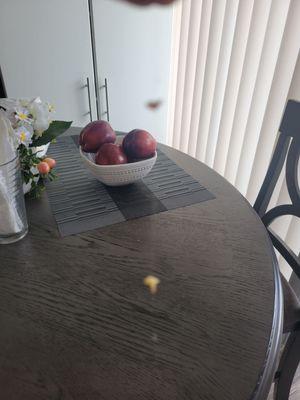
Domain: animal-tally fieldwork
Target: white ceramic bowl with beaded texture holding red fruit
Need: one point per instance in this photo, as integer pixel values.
(118, 175)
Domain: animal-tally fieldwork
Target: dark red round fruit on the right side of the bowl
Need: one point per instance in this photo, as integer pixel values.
(139, 144)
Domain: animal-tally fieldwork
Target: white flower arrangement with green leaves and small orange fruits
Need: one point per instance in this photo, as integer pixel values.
(33, 126)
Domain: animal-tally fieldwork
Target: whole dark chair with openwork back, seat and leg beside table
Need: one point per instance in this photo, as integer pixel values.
(287, 148)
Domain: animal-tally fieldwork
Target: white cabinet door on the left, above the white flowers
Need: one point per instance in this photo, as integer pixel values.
(45, 50)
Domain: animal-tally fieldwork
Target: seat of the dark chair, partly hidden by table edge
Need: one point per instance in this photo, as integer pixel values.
(291, 307)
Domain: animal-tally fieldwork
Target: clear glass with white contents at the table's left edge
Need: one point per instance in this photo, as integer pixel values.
(13, 220)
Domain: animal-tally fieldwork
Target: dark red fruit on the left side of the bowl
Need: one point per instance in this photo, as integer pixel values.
(95, 134)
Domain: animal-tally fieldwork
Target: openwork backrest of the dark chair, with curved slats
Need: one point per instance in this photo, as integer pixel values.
(287, 148)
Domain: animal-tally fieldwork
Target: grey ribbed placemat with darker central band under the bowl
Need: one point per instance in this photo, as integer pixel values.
(80, 202)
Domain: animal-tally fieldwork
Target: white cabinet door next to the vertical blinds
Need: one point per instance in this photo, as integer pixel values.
(133, 51)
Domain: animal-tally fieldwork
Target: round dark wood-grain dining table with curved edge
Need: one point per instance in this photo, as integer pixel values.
(77, 322)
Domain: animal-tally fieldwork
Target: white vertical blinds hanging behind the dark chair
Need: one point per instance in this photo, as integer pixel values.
(232, 69)
